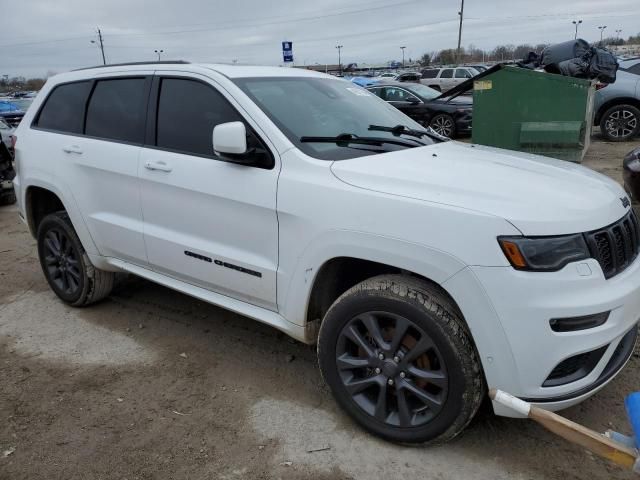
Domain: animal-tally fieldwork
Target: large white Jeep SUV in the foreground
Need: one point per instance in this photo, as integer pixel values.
(425, 271)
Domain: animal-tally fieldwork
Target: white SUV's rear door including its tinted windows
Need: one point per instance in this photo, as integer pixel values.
(96, 156)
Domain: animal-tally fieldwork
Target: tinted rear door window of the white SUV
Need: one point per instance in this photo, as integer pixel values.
(116, 110)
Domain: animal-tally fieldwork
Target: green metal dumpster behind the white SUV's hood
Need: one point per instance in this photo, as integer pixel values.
(529, 111)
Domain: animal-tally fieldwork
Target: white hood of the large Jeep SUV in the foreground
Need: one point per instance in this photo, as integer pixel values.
(538, 195)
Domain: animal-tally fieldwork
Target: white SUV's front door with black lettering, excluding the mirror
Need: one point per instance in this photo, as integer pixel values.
(207, 221)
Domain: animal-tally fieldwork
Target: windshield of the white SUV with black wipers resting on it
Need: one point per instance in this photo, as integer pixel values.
(325, 107)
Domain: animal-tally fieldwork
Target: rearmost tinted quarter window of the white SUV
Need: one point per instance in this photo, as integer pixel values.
(64, 109)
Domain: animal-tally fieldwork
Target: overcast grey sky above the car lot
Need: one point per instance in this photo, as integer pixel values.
(41, 36)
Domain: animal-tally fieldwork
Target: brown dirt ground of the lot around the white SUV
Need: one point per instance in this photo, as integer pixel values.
(152, 384)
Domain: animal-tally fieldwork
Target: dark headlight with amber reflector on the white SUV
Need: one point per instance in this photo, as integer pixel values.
(544, 254)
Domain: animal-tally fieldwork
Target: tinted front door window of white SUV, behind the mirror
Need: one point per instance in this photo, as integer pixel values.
(187, 112)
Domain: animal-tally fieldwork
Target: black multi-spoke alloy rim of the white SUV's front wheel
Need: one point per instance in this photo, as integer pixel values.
(392, 369)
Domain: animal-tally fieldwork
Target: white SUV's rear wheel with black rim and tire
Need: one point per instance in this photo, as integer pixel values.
(66, 265)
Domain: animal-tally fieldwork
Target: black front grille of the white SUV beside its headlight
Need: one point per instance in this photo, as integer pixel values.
(616, 246)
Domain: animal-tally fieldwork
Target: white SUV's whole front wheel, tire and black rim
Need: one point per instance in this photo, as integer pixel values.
(442, 387)
